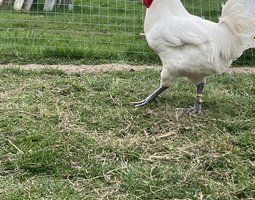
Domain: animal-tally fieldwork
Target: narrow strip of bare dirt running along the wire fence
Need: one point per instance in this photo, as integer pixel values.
(109, 67)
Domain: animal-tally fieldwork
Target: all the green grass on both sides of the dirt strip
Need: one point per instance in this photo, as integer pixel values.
(75, 136)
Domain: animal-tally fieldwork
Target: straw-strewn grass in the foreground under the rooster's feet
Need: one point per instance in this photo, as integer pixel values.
(75, 136)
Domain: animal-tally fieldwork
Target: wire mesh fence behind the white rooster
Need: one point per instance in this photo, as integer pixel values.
(84, 31)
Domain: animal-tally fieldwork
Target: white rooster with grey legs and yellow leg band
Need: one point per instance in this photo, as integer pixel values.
(192, 47)
